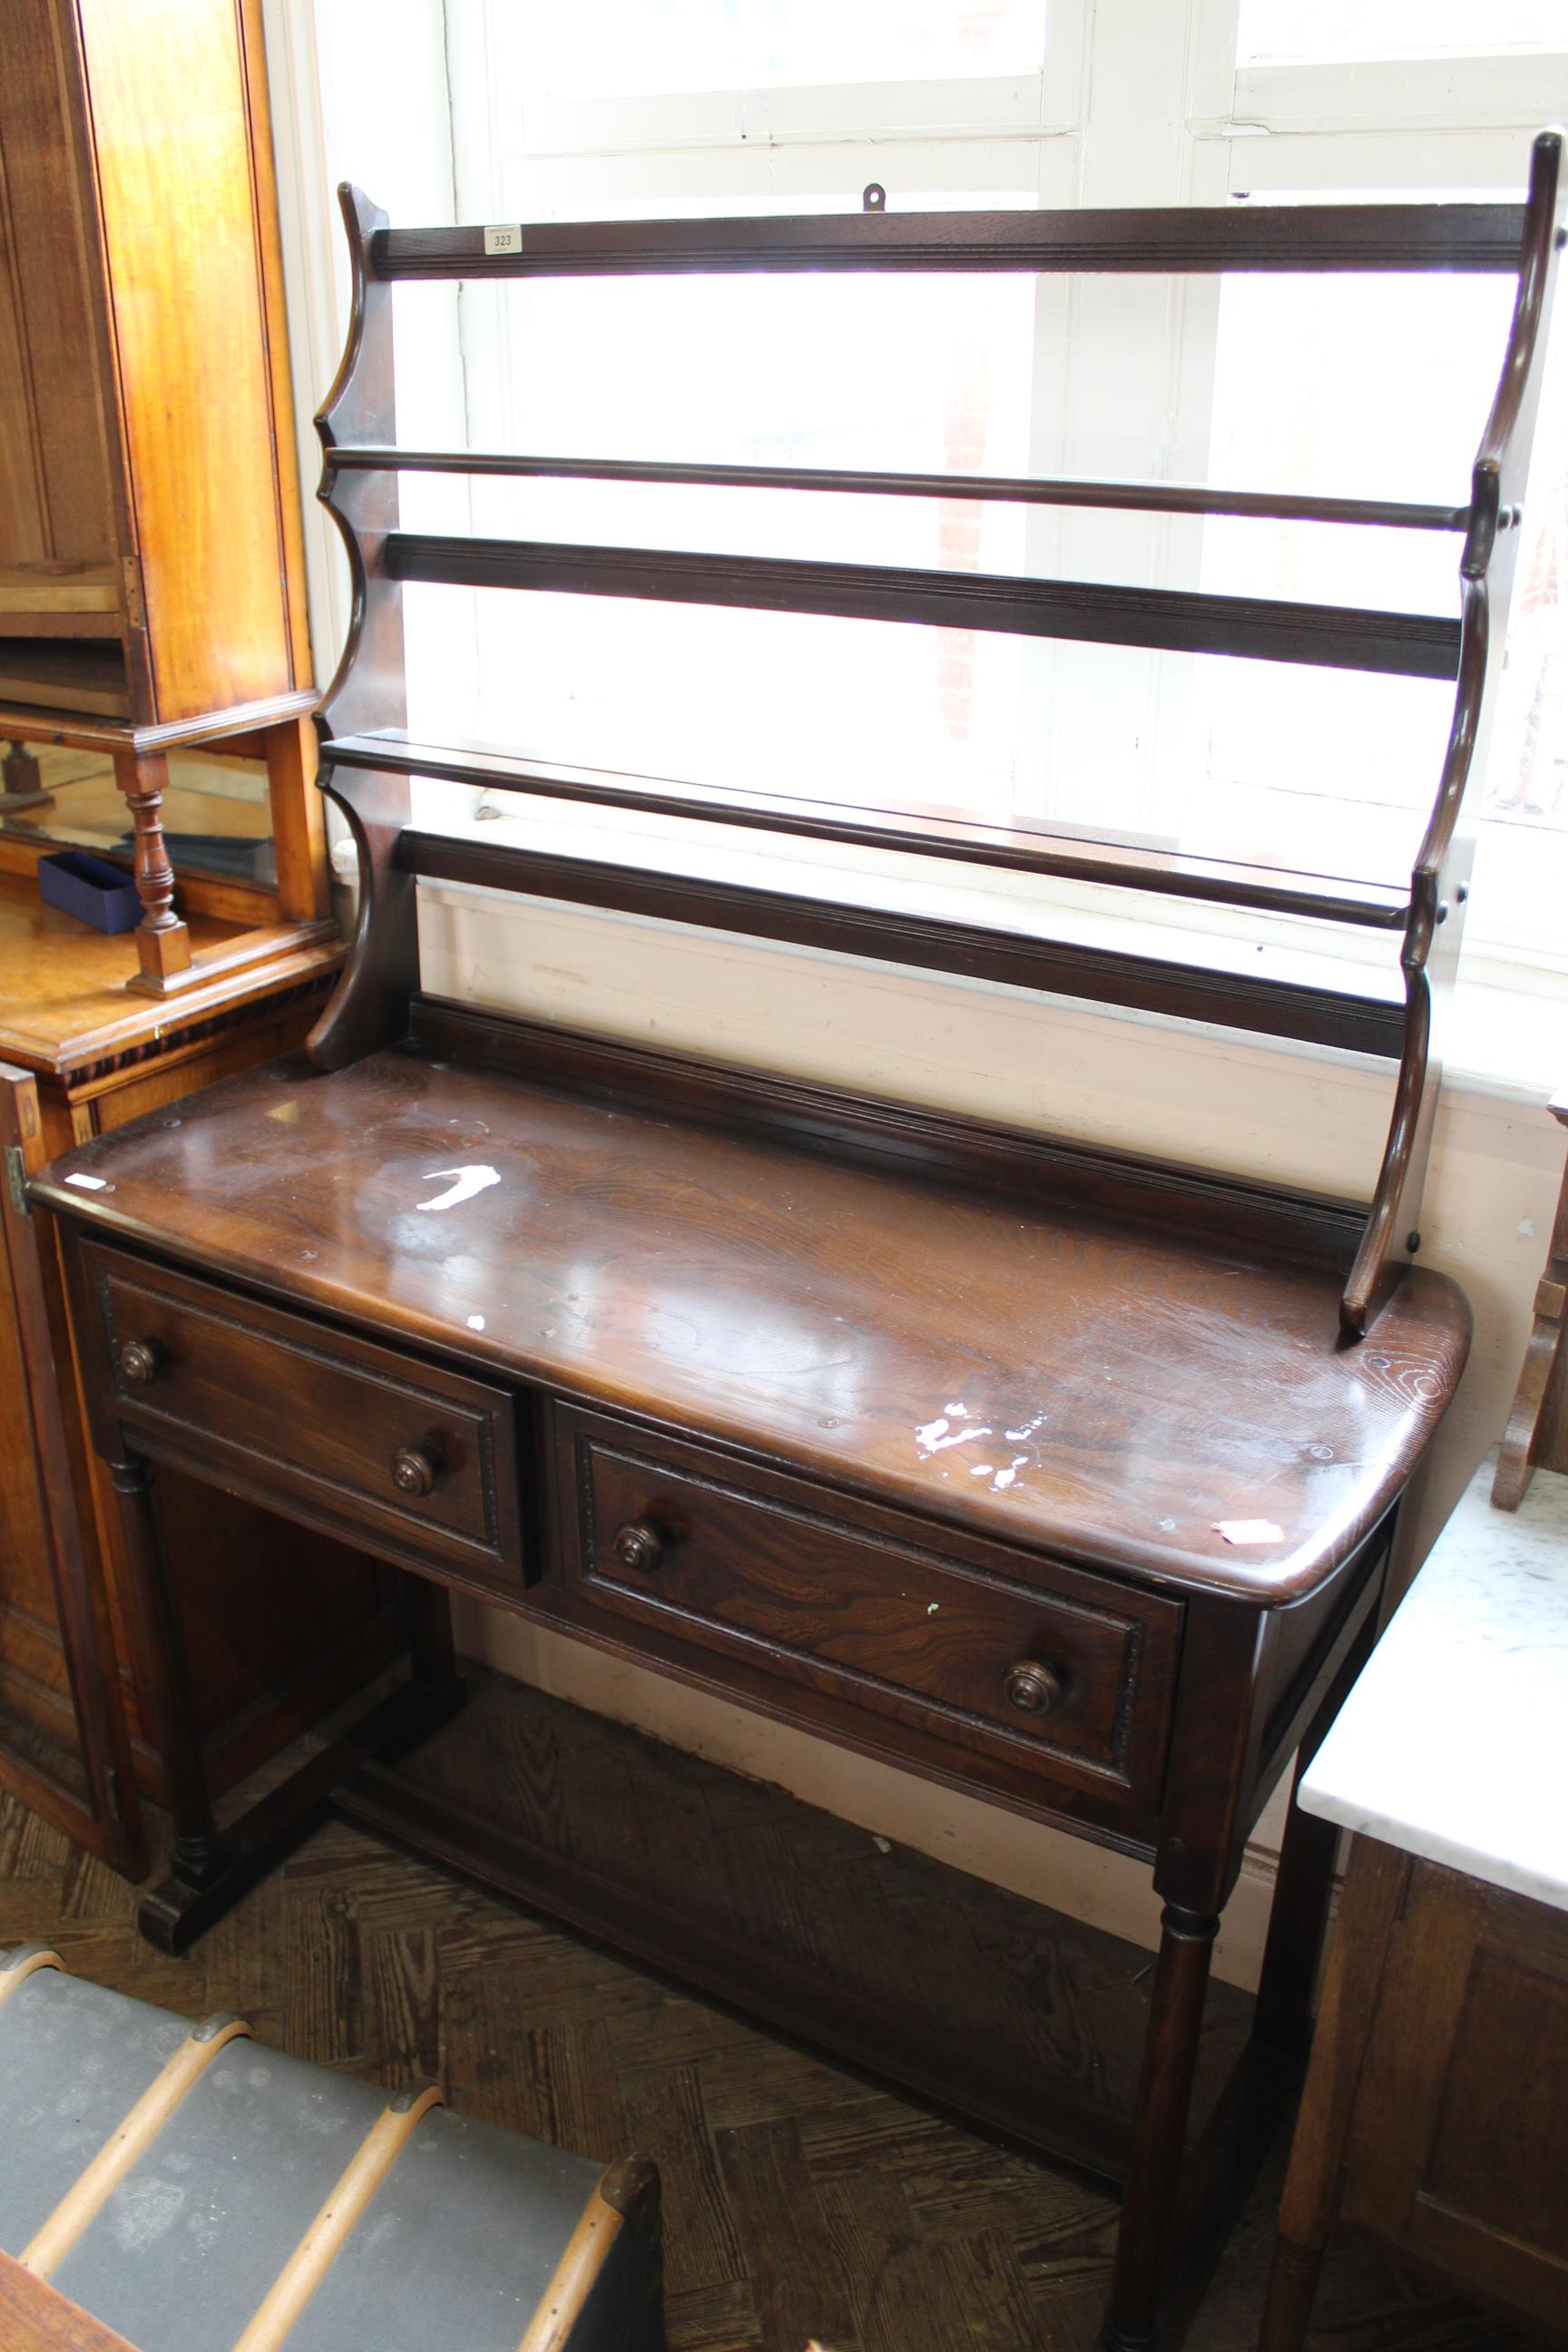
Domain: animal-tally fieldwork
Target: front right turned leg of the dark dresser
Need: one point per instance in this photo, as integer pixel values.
(1165, 2094)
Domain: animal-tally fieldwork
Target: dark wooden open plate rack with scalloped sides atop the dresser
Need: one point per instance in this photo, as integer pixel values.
(370, 761)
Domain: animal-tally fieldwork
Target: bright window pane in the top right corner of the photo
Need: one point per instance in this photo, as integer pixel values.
(1315, 32)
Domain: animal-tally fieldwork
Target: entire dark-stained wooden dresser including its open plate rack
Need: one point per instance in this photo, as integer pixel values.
(1054, 1474)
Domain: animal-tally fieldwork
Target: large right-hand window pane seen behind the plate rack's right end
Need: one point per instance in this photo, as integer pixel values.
(1381, 387)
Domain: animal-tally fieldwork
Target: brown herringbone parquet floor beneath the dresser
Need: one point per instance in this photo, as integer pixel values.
(798, 2198)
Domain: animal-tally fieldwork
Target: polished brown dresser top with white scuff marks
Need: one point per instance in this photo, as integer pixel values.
(1127, 1396)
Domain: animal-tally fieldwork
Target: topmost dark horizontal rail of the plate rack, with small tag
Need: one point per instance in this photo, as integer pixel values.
(1198, 239)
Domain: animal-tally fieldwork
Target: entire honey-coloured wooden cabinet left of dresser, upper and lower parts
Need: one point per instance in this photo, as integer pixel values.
(152, 601)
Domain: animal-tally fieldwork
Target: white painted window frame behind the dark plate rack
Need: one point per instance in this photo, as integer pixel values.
(1139, 102)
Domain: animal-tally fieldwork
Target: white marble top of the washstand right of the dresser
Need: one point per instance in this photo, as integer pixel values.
(1454, 1742)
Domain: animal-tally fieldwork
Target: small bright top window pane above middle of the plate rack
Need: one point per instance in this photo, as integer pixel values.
(650, 48)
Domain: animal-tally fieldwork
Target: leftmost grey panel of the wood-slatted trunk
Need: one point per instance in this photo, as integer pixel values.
(74, 2062)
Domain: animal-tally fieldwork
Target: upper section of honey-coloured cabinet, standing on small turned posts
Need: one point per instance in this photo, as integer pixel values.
(152, 573)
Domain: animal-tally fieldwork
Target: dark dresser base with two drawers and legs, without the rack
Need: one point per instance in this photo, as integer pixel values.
(864, 1438)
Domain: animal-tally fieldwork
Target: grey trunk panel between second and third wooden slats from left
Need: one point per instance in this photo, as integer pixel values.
(187, 2247)
